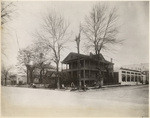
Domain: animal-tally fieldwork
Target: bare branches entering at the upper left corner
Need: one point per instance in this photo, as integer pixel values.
(7, 8)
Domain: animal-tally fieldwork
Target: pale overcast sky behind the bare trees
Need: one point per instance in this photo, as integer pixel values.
(134, 30)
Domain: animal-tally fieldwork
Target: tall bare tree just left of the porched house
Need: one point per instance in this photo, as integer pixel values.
(53, 37)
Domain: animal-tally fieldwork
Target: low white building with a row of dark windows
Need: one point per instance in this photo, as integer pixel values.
(131, 77)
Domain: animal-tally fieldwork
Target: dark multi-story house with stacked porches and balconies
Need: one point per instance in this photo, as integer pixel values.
(83, 69)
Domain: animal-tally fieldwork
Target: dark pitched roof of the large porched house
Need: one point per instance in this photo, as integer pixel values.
(74, 56)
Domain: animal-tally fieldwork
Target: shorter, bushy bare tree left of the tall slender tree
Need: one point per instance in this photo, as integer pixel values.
(35, 54)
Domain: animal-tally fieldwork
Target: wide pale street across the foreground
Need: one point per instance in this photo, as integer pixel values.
(116, 101)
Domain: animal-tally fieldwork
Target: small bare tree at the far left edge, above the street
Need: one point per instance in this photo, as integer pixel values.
(5, 73)
